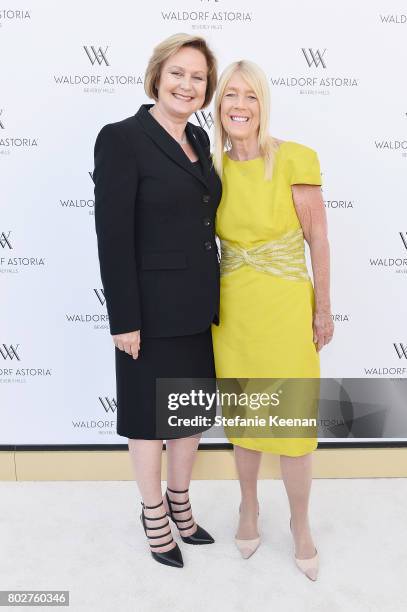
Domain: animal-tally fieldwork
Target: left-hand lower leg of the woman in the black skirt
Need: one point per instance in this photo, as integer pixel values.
(146, 461)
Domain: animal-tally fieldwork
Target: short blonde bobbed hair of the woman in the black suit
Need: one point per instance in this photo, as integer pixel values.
(169, 47)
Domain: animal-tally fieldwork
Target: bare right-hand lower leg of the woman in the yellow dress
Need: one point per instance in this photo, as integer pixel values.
(297, 476)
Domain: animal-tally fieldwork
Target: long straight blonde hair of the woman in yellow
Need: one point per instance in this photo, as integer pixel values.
(257, 80)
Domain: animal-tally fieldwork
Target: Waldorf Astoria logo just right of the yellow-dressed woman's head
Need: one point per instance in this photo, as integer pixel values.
(316, 80)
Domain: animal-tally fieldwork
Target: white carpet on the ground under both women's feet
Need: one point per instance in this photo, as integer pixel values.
(86, 537)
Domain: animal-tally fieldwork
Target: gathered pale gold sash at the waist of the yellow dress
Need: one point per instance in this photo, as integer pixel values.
(284, 257)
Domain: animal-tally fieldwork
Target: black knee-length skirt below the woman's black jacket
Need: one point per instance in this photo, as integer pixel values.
(178, 357)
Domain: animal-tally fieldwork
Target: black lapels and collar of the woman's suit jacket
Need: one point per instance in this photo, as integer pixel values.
(170, 146)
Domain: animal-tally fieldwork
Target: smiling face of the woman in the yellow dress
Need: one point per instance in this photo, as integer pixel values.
(240, 109)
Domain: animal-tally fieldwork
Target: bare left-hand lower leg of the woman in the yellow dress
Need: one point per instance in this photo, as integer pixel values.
(247, 465)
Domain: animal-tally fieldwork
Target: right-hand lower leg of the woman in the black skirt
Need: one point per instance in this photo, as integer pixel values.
(181, 455)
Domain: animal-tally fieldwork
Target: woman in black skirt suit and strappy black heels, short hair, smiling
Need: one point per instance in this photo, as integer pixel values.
(156, 195)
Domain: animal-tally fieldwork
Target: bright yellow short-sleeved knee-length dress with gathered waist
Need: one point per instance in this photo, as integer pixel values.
(266, 302)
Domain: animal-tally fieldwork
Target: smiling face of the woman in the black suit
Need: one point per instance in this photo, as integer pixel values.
(182, 84)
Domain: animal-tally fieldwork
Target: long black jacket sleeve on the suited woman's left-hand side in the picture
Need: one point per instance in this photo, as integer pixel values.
(115, 178)
